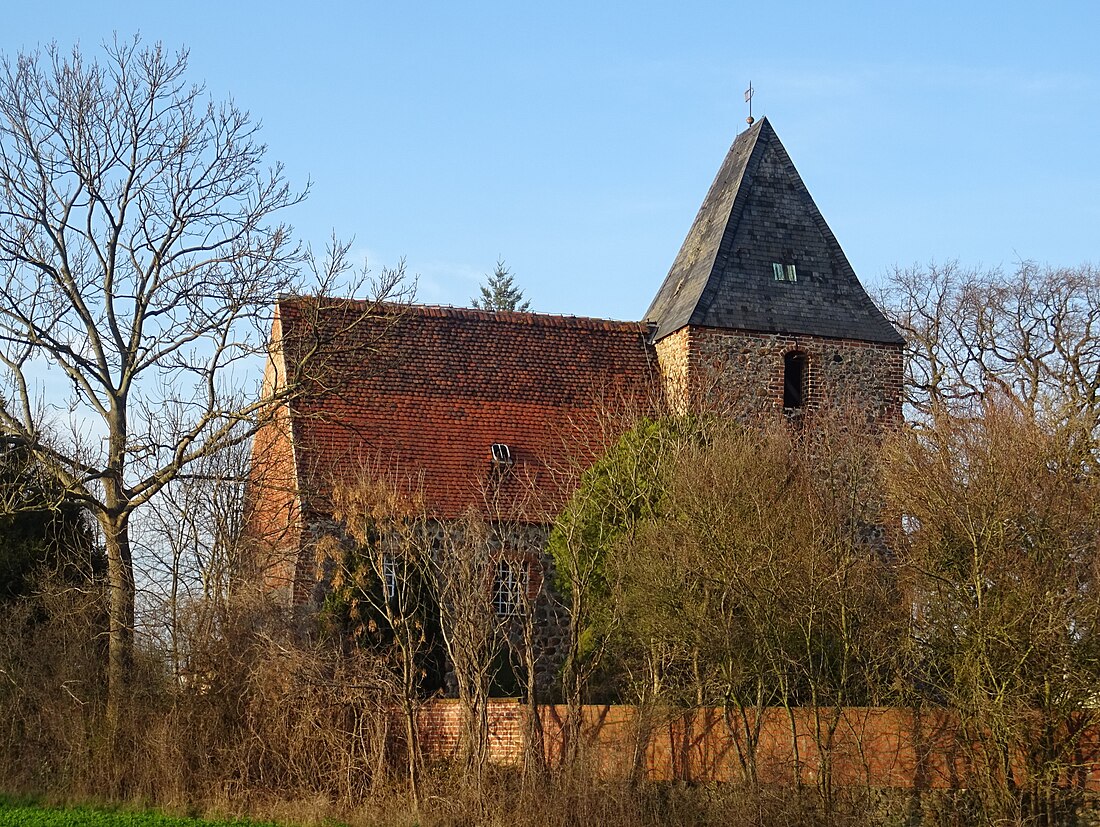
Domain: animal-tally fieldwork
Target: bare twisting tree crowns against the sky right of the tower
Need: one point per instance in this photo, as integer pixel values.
(1032, 336)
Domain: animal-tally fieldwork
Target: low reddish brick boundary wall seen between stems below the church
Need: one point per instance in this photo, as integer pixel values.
(870, 746)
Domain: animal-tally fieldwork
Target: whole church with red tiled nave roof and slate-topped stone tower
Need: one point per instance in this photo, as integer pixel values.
(761, 308)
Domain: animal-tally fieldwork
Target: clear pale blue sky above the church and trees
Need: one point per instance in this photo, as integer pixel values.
(578, 140)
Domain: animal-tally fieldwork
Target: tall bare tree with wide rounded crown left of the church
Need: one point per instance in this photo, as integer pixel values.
(140, 258)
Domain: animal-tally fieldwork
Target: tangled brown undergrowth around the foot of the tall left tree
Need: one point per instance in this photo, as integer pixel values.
(258, 715)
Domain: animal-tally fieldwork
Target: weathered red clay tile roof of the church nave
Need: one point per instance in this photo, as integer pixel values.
(427, 391)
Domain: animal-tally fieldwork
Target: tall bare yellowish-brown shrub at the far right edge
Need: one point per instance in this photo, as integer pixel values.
(998, 532)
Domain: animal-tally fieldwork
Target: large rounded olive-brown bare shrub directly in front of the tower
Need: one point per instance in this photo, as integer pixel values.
(762, 580)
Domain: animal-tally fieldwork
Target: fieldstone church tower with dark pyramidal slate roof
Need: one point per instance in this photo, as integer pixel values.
(762, 311)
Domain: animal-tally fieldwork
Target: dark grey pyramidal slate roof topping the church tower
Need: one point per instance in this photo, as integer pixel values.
(756, 223)
